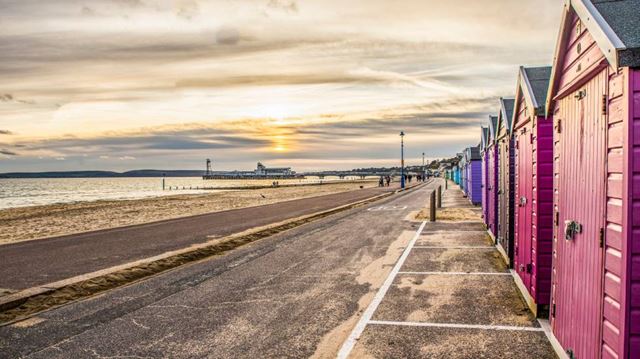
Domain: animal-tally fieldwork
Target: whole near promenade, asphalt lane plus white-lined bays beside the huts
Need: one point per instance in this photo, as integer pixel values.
(368, 282)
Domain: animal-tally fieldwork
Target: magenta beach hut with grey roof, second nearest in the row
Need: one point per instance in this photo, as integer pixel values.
(533, 211)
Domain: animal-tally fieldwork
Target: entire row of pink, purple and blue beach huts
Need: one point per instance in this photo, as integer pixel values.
(557, 173)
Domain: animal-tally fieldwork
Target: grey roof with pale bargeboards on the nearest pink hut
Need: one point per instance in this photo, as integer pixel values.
(613, 24)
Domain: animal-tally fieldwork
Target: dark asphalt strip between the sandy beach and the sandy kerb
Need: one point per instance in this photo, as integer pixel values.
(38, 262)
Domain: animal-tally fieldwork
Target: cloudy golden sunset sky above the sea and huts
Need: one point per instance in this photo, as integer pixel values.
(327, 84)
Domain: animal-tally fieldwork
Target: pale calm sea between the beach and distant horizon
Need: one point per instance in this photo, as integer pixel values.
(42, 191)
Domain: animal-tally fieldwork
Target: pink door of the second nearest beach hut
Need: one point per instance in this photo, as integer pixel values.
(523, 203)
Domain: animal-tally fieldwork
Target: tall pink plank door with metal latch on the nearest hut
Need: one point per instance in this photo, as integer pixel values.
(581, 143)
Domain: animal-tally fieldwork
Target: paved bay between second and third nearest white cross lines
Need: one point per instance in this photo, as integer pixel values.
(454, 260)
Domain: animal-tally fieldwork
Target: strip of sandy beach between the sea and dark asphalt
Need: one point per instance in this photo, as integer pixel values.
(28, 223)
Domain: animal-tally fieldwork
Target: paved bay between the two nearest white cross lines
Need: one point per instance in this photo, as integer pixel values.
(459, 299)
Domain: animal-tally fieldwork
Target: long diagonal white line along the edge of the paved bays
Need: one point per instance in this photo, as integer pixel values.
(348, 345)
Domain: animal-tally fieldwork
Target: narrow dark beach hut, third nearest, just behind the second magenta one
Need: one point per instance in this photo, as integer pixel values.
(505, 147)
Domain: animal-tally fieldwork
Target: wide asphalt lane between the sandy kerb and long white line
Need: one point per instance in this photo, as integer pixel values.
(295, 294)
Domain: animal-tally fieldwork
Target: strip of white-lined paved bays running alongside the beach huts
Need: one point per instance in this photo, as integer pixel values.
(449, 296)
